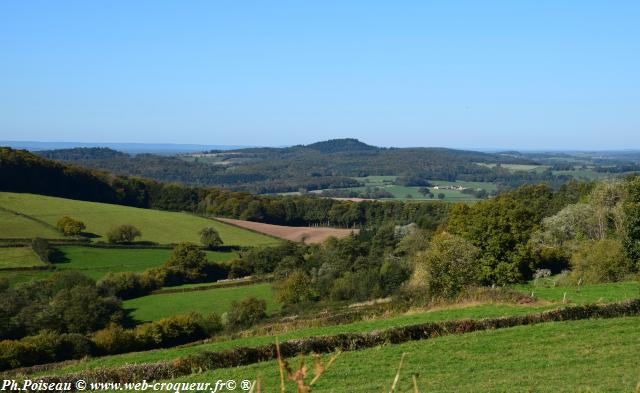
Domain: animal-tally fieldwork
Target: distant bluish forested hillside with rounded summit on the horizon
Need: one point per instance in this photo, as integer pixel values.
(320, 165)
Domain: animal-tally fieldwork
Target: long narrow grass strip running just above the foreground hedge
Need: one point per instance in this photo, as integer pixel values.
(471, 311)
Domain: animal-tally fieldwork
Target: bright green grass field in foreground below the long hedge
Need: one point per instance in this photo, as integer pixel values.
(577, 356)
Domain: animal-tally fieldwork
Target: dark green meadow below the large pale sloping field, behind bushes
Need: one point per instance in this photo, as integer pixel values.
(98, 262)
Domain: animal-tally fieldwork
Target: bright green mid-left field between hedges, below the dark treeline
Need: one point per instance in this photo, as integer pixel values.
(154, 307)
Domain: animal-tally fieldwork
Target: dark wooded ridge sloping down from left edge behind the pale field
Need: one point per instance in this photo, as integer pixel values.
(21, 171)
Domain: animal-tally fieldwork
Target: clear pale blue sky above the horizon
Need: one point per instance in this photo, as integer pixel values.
(465, 74)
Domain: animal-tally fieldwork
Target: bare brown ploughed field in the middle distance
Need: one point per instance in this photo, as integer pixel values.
(310, 235)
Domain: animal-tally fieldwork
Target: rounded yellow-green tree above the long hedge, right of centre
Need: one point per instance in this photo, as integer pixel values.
(449, 266)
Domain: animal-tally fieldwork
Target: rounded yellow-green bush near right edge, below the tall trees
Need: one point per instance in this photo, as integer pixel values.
(600, 261)
